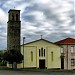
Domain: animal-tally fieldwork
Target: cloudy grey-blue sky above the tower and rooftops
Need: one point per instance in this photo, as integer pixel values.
(54, 19)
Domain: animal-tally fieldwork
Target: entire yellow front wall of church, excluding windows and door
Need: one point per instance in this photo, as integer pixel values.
(34, 47)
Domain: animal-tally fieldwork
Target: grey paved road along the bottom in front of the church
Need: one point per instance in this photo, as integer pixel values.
(10, 72)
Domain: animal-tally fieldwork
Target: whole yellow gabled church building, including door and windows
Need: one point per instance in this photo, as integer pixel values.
(41, 54)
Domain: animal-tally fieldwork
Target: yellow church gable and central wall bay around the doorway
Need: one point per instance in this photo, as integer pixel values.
(40, 44)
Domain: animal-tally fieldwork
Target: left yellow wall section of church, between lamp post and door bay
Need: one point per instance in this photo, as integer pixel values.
(28, 62)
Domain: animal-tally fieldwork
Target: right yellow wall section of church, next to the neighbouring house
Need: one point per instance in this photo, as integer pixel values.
(56, 62)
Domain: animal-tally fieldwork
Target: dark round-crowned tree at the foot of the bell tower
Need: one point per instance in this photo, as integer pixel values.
(13, 56)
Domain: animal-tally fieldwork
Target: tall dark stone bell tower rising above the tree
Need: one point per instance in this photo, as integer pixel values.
(13, 30)
